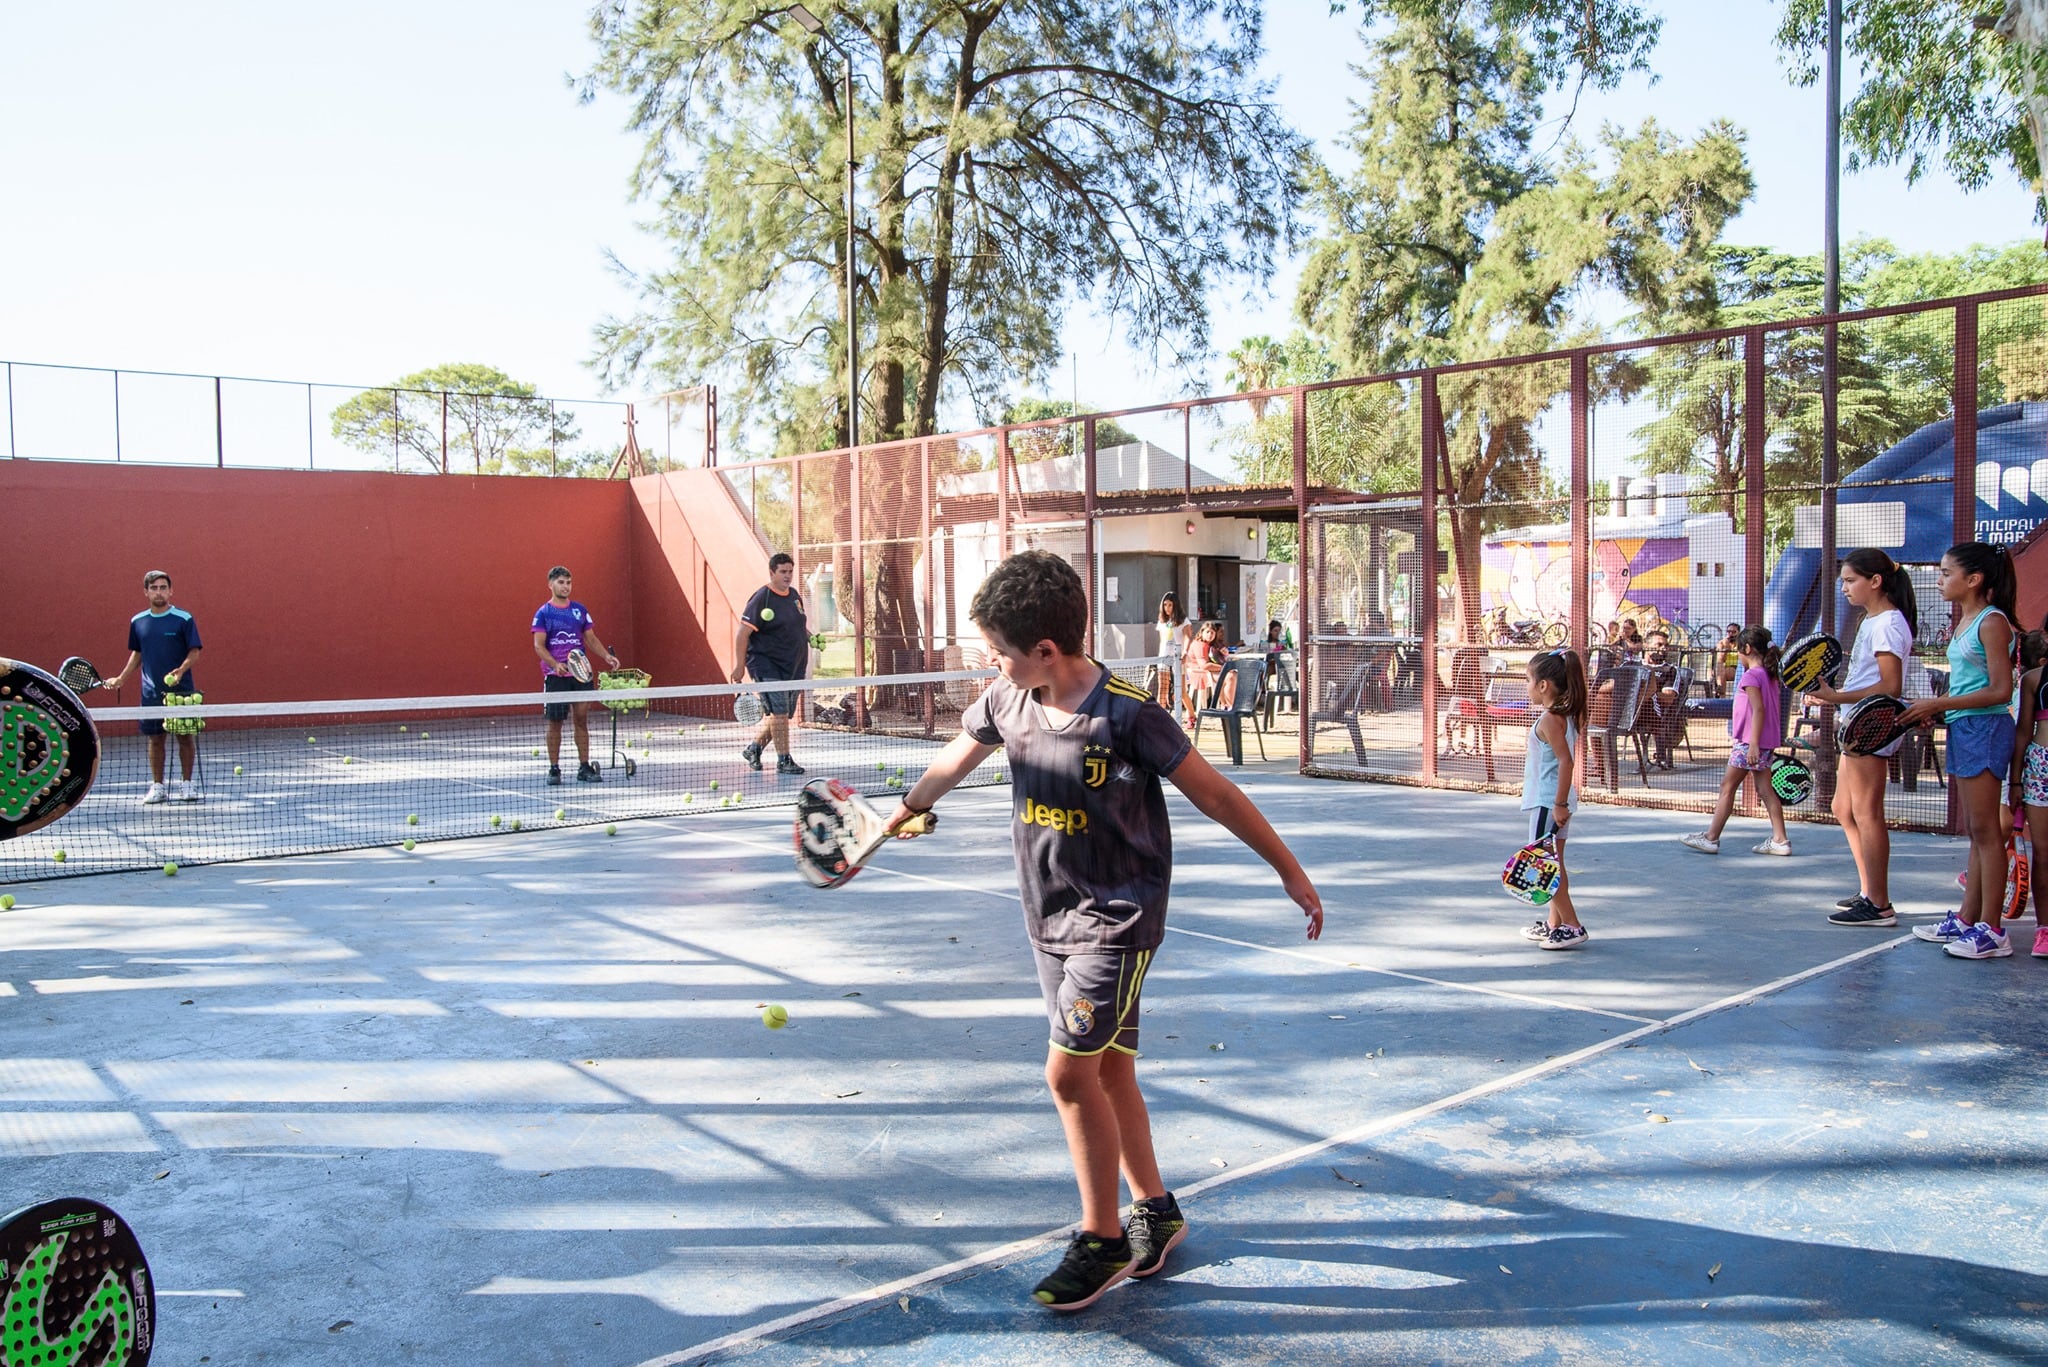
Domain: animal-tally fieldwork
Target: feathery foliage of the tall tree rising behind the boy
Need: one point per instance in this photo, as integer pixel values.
(1013, 159)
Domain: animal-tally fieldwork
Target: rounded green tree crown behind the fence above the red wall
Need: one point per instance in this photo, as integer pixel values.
(476, 415)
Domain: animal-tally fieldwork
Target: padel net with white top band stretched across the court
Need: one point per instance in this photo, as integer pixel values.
(335, 776)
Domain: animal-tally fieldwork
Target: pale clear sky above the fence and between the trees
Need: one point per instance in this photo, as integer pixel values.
(349, 194)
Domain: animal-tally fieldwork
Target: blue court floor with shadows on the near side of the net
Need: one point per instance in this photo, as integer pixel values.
(511, 1102)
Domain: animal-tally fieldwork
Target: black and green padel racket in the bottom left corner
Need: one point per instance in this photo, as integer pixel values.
(75, 1288)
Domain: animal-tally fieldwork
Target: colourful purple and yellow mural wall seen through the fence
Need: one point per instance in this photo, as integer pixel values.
(1631, 579)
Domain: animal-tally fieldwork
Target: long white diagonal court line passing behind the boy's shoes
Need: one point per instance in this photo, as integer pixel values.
(962, 1268)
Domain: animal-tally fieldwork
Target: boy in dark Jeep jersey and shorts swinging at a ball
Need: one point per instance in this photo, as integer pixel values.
(1095, 854)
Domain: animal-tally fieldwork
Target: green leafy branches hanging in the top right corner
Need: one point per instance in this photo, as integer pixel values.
(1936, 85)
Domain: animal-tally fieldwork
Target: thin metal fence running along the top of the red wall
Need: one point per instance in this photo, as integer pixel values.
(69, 413)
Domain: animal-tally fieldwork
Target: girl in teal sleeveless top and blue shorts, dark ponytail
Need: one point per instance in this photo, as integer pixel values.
(1979, 583)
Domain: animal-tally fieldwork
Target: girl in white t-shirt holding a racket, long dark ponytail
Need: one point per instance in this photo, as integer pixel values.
(1877, 585)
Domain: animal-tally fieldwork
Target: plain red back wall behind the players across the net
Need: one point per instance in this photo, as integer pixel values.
(323, 585)
